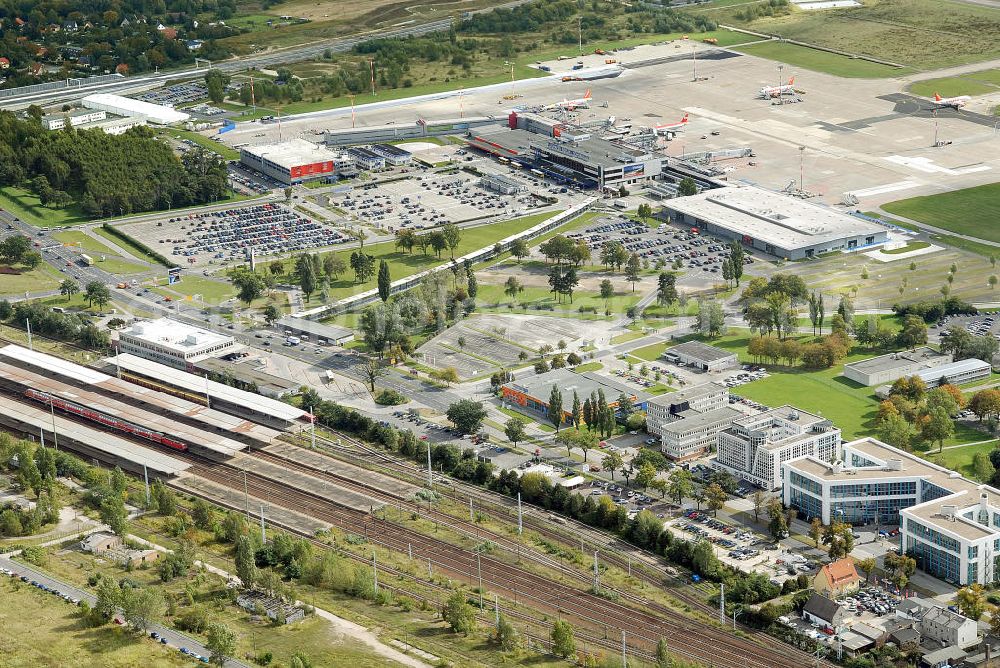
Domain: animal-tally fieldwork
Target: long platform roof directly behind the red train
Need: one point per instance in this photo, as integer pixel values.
(117, 415)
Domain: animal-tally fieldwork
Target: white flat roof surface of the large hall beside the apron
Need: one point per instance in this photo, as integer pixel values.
(780, 220)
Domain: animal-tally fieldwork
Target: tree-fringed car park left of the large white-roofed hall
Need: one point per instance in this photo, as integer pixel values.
(665, 244)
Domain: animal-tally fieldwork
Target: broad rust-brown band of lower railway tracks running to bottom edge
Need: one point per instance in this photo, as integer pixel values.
(642, 627)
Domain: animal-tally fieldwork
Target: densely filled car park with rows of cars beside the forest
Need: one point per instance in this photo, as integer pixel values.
(221, 236)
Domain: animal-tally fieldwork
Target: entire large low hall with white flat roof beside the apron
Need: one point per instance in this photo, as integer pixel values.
(774, 223)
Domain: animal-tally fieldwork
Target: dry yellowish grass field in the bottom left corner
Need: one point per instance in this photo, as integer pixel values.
(42, 630)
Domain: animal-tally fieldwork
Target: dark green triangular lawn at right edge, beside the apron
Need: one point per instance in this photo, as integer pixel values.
(971, 211)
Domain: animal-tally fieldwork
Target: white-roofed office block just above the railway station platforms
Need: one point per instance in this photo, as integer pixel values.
(171, 342)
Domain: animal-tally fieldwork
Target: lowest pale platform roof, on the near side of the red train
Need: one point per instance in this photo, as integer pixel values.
(108, 448)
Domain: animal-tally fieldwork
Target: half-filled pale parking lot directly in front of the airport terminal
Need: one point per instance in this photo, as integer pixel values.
(427, 201)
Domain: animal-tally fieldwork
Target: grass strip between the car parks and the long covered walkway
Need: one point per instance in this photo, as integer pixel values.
(402, 264)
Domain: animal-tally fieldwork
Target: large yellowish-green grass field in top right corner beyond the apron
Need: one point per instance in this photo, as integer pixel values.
(898, 31)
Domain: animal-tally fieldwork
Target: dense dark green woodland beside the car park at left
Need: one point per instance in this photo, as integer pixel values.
(106, 174)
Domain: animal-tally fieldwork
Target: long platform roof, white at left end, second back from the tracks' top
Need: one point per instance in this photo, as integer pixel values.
(194, 413)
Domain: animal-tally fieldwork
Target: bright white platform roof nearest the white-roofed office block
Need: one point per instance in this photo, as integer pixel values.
(254, 407)
